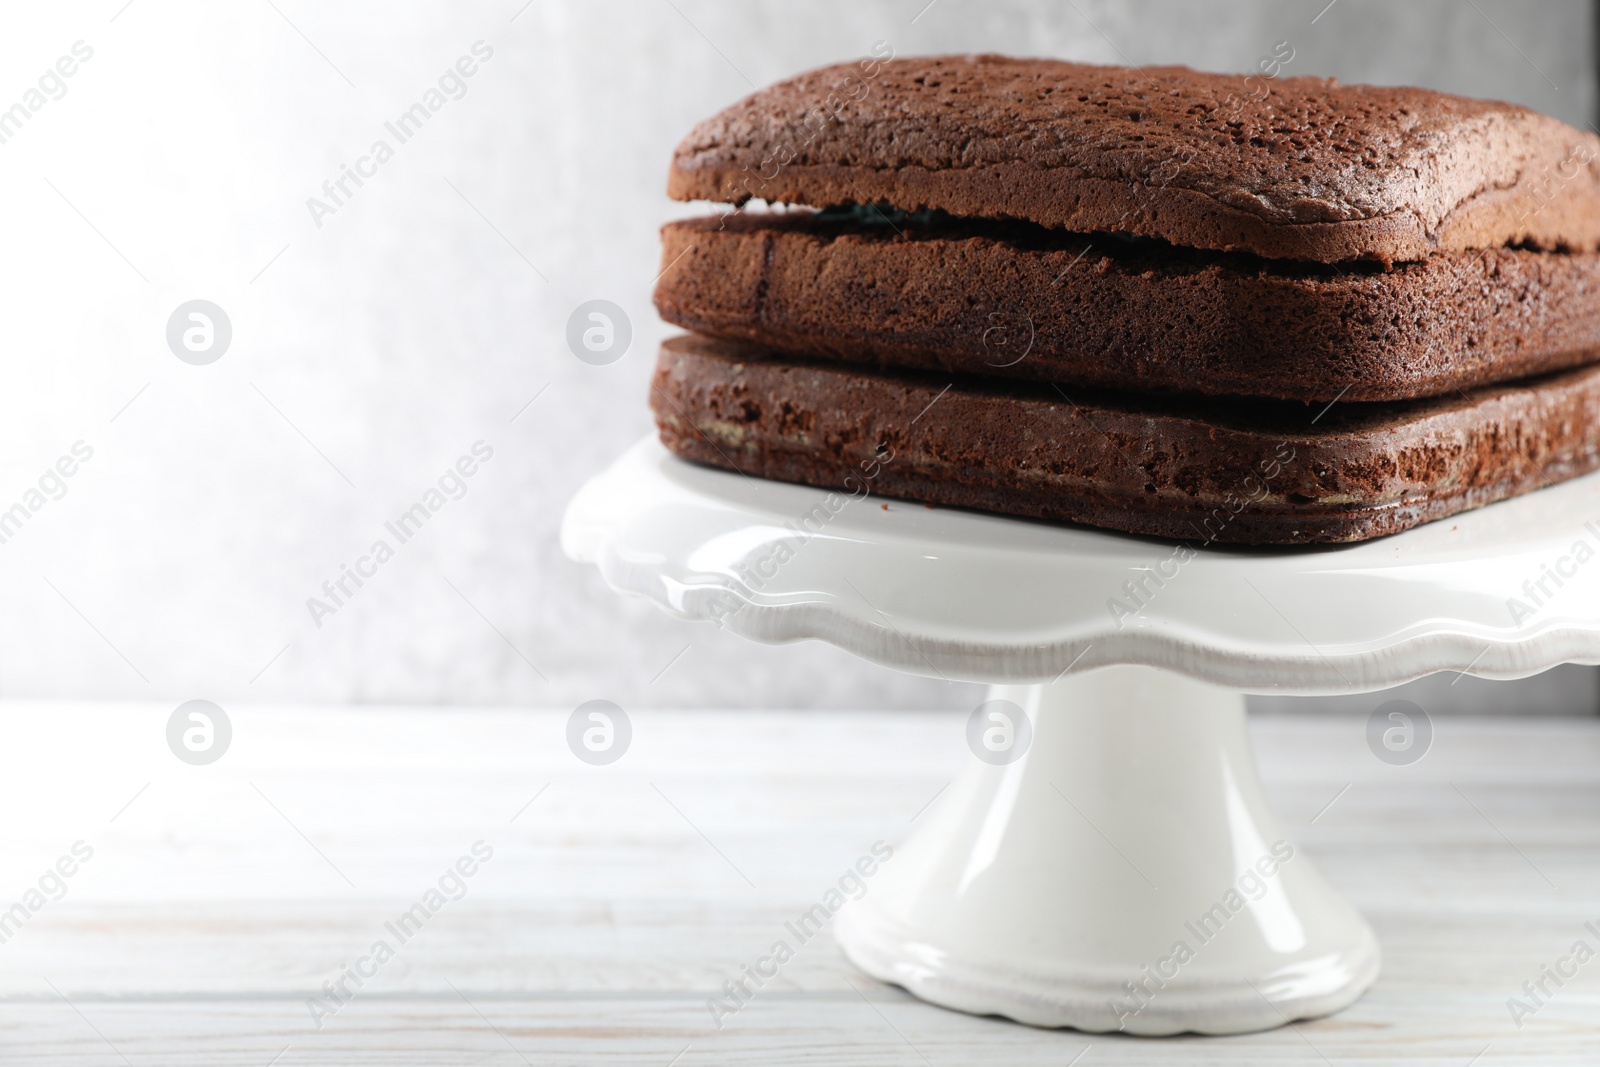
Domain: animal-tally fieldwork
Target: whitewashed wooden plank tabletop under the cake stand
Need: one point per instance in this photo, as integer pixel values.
(218, 900)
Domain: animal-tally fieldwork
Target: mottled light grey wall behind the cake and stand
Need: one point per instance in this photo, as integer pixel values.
(423, 316)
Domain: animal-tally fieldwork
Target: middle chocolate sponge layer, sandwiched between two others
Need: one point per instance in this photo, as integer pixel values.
(1030, 303)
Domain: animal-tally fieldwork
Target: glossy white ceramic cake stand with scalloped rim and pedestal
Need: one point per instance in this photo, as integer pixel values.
(1106, 861)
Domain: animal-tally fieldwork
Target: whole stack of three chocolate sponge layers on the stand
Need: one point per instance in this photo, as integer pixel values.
(1138, 300)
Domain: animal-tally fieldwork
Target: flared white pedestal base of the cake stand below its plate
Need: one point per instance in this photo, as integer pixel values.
(1122, 874)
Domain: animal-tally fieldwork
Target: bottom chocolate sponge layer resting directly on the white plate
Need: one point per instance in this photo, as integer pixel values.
(1246, 473)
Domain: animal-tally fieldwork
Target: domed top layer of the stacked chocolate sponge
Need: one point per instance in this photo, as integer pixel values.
(1290, 169)
